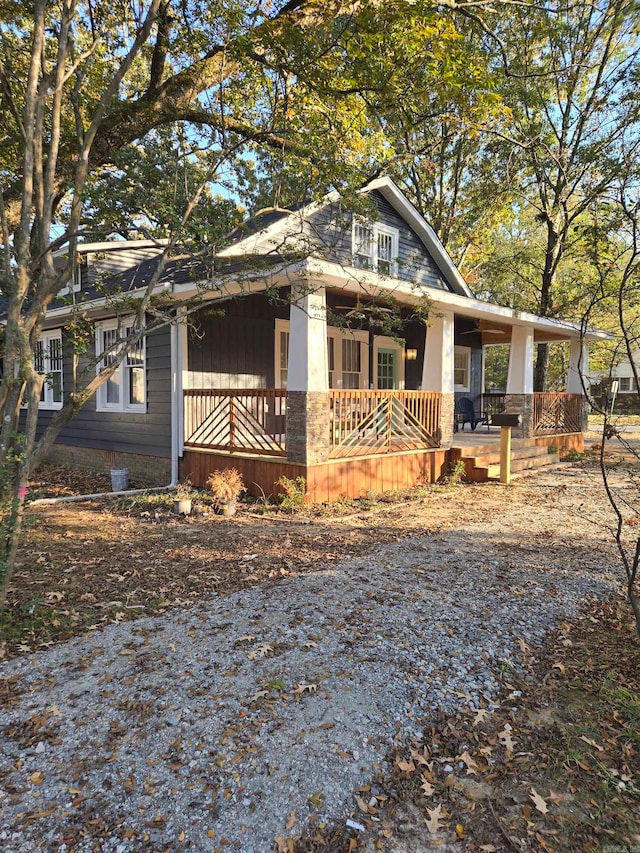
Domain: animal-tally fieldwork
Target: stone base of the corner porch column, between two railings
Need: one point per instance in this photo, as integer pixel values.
(308, 427)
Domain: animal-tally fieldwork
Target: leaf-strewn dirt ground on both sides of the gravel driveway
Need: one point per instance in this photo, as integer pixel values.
(555, 767)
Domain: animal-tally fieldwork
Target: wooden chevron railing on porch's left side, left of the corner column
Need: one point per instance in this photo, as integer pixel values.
(251, 421)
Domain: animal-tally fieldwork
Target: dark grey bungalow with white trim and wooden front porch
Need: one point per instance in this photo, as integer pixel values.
(299, 374)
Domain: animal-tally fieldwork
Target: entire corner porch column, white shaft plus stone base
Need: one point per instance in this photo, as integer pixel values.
(308, 378)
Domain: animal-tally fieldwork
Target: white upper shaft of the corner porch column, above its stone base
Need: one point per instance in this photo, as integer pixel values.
(308, 366)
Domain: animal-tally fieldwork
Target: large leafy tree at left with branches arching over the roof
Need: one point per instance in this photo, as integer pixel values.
(86, 88)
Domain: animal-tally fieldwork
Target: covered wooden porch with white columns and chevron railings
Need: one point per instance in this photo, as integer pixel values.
(346, 441)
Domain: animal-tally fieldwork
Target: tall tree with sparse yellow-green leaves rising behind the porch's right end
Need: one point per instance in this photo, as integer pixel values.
(569, 80)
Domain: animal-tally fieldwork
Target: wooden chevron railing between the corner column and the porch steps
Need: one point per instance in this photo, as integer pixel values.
(367, 422)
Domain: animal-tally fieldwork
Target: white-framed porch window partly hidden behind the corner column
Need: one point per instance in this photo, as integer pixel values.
(347, 357)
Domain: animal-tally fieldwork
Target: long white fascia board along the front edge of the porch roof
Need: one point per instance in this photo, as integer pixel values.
(332, 274)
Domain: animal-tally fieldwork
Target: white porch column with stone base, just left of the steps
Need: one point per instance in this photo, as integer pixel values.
(437, 370)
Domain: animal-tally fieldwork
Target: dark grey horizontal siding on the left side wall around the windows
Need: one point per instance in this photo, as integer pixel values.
(147, 434)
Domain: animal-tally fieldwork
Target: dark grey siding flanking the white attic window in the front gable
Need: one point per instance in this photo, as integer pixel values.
(415, 264)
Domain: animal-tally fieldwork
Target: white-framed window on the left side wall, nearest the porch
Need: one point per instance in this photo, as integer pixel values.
(126, 389)
